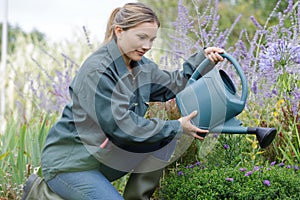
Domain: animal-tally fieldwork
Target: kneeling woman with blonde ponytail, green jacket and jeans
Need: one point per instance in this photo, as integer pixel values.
(102, 134)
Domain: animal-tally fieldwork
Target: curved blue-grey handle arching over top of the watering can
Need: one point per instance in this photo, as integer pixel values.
(201, 68)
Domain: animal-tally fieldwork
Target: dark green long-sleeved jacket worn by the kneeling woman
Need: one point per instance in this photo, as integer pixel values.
(110, 102)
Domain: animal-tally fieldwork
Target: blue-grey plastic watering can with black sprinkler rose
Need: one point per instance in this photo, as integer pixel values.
(213, 94)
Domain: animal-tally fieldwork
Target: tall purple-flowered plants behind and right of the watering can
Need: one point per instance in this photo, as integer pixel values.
(270, 60)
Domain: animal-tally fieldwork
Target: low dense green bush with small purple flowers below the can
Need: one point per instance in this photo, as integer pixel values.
(198, 181)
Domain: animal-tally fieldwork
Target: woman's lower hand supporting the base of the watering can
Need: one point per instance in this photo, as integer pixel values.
(189, 128)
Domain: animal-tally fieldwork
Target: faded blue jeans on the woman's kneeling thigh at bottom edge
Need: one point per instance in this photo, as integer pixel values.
(86, 185)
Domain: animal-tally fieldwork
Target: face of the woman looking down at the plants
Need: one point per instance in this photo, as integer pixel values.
(135, 42)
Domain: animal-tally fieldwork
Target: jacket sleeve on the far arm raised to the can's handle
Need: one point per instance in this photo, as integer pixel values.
(168, 84)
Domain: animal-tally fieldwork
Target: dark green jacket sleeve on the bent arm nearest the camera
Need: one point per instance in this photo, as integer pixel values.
(107, 103)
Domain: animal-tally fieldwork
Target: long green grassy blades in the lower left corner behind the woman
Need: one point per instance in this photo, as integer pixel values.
(21, 147)
